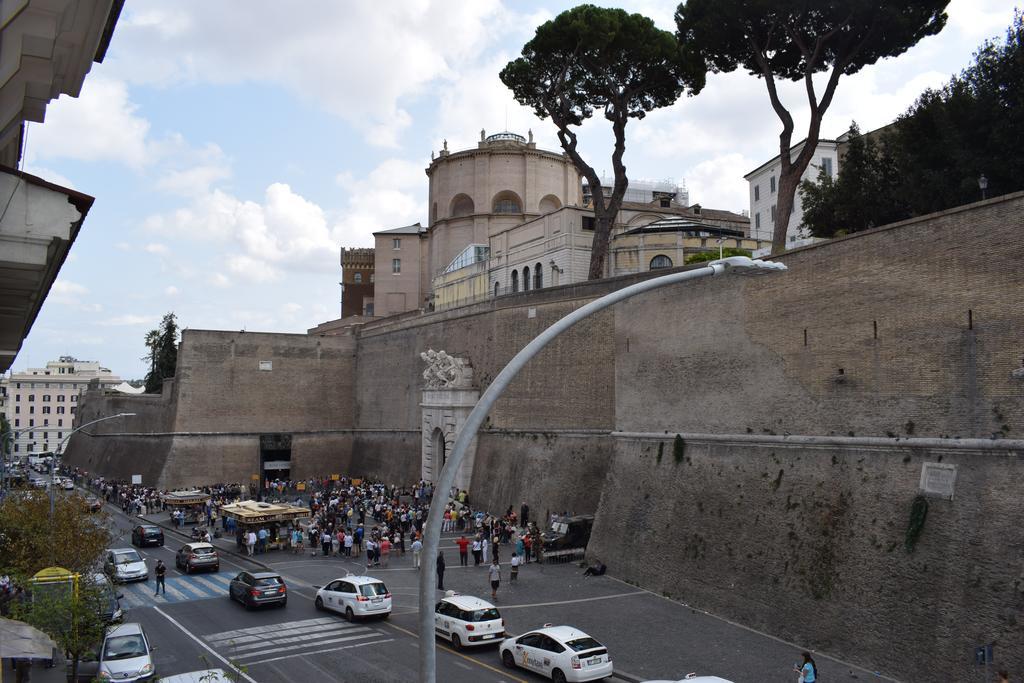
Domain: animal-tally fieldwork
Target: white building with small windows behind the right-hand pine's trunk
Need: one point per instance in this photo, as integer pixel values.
(764, 191)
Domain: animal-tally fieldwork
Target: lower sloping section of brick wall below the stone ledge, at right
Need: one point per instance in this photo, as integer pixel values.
(804, 539)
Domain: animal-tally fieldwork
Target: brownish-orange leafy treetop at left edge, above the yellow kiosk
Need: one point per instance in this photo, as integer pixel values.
(29, 542)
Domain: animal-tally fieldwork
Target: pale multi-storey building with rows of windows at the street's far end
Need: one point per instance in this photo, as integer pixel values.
(47, 399)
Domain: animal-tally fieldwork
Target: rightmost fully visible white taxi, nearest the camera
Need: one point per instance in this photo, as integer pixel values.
(561, 653)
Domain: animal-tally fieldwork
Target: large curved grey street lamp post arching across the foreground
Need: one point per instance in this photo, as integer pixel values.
(432, 530)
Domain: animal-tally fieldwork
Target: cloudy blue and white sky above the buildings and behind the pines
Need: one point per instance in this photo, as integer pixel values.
(234, 149)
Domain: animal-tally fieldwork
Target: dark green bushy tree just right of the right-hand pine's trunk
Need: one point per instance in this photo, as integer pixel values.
(863, 196)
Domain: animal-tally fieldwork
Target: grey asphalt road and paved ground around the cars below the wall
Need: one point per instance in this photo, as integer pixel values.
(196, 626)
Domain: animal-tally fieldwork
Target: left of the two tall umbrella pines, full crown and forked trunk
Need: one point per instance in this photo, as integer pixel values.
(591, 60)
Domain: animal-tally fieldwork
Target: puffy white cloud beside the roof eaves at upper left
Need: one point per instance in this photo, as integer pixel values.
(100, 125)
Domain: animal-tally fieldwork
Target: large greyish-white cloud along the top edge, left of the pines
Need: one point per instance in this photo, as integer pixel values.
(361, 62)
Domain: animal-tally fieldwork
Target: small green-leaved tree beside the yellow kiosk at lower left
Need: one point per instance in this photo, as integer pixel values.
(74, 619)
